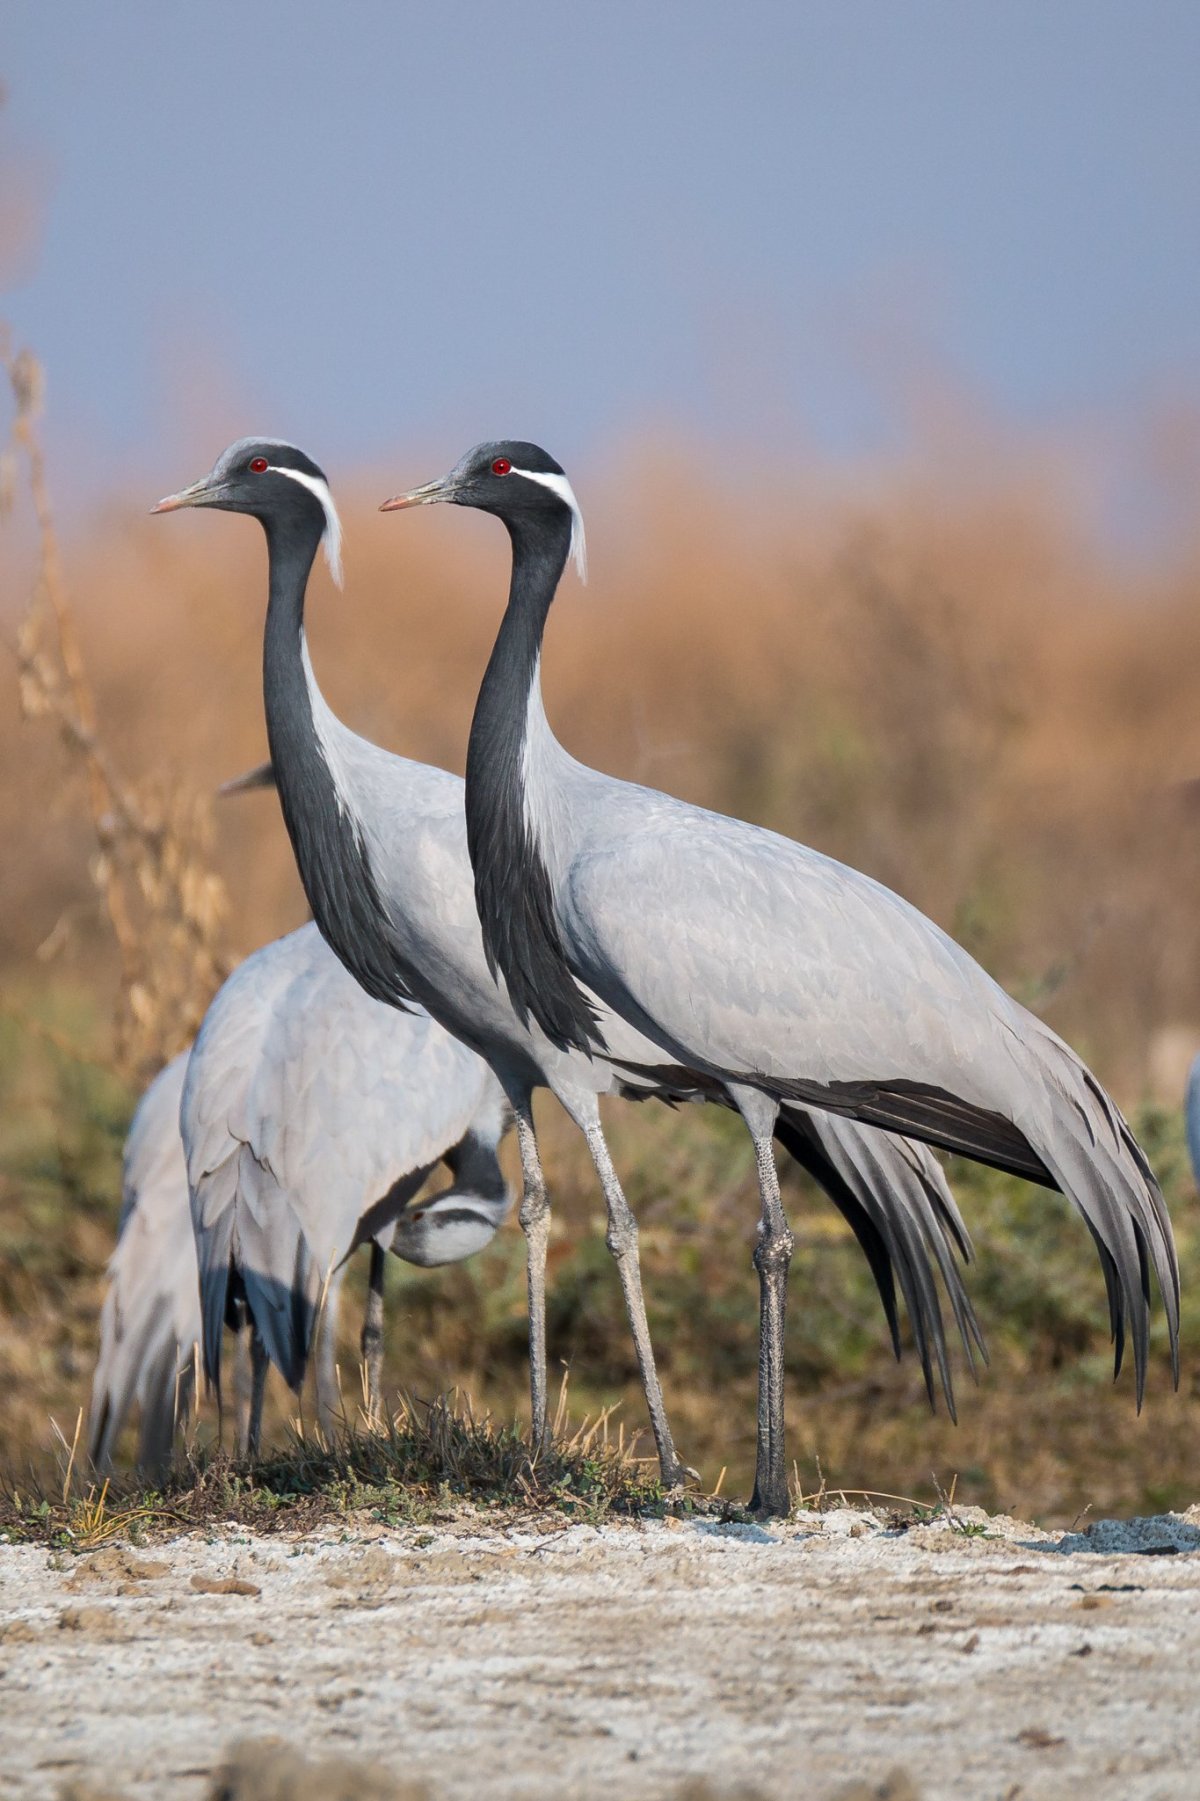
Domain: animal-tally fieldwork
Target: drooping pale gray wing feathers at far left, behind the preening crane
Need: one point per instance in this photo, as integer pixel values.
(150, 1321)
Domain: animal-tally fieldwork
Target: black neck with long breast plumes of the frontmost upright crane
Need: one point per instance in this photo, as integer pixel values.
(513, 885)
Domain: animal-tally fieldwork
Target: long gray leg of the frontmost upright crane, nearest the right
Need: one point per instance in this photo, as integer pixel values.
(772, 1260)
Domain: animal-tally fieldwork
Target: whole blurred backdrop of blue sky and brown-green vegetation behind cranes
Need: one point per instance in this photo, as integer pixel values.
(871, 341)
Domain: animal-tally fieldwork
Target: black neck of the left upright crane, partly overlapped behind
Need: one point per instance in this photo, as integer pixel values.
(325, 835)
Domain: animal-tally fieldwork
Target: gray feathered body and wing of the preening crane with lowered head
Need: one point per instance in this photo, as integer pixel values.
(305, 1105)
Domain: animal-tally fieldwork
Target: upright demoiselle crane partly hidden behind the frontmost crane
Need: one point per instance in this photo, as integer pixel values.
(381, 846)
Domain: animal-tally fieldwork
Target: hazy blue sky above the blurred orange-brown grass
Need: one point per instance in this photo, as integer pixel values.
(379, 226)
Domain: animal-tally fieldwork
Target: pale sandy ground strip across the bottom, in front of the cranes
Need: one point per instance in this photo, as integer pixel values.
(621, 1661)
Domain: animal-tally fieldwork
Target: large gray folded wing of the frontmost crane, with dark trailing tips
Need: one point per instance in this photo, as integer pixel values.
(759, 961)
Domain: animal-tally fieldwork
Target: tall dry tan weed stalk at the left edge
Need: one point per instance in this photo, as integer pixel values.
(152, 871)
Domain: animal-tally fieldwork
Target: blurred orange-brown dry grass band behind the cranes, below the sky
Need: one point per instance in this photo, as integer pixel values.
(954, 691)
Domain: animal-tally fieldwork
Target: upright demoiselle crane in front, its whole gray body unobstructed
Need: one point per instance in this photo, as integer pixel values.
(759, 963)
